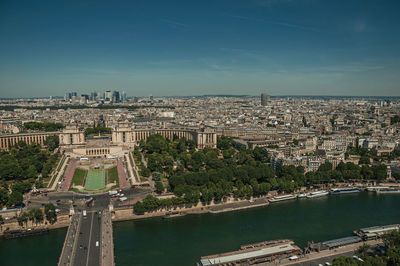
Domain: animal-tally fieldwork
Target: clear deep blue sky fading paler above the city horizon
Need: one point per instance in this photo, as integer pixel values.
(196, 47)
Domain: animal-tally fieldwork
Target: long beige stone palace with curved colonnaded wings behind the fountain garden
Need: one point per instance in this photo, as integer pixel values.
(124, 137)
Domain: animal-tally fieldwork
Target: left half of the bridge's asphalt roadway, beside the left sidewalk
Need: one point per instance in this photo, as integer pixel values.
(83, 240)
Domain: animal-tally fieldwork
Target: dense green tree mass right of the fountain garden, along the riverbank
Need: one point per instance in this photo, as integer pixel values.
(215, 174)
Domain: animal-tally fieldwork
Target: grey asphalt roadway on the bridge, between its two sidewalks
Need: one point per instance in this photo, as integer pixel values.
(86, 251)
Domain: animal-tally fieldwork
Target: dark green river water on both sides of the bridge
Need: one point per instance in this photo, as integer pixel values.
(182, 240)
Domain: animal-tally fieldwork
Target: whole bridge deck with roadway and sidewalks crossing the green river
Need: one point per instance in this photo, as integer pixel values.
(89, 240)
